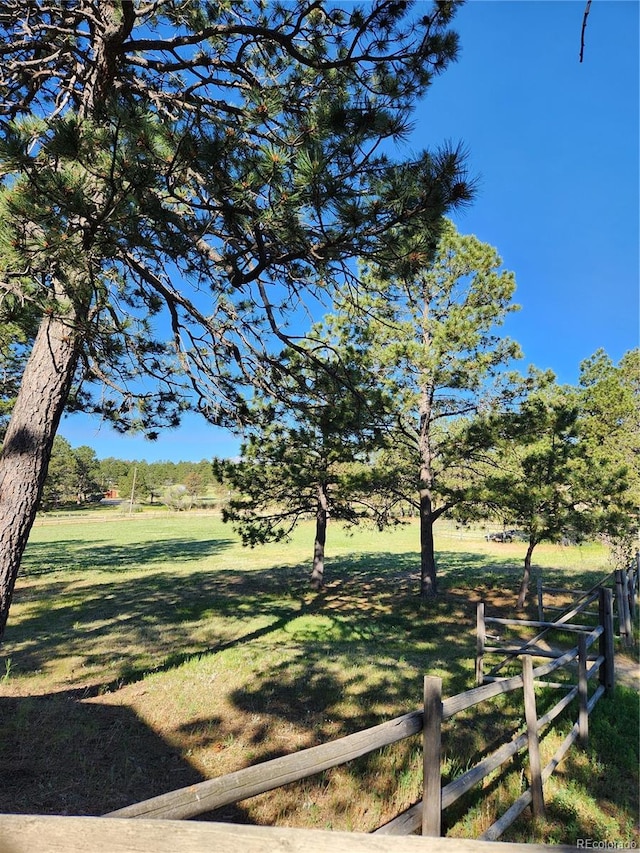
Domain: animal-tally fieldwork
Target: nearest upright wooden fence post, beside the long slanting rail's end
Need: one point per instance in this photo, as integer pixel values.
(432, 747)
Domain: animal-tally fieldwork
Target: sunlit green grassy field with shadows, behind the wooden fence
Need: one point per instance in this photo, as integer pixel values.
(147, 653)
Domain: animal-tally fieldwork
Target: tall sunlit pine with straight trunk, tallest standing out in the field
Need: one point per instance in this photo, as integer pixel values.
(429, 326)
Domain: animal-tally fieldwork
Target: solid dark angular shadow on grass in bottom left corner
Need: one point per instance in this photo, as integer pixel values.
(68, 757)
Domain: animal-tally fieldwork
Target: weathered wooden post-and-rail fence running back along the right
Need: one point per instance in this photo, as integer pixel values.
(425, 815)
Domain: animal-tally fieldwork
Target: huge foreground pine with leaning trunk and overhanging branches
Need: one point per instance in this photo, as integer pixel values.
(212, 164)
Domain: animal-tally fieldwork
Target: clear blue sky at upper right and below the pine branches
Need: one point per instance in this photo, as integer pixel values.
(555, 145)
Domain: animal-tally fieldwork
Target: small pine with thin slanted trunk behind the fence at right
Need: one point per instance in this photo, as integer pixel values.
(547, 477)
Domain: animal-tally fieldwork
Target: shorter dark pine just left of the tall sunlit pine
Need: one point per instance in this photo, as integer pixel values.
(309, 453)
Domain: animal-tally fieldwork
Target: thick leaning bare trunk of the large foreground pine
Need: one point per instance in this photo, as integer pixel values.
(26, 451)
